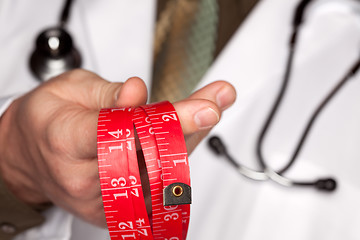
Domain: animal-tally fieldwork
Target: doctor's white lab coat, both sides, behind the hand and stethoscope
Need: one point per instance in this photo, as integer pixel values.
(114, 37)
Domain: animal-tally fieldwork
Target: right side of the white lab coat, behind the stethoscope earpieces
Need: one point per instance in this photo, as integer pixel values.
(227, 206)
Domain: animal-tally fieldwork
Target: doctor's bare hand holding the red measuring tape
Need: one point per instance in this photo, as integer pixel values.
(48, 149)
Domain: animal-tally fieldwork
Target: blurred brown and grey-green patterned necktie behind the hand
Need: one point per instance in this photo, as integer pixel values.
(184, 47)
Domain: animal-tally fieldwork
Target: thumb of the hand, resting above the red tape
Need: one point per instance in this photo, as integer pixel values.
(93, 92)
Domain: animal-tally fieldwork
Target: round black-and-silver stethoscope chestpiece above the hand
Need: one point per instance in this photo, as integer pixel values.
(54, 54)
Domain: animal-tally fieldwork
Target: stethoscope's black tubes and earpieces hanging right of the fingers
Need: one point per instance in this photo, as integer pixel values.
(266, 172)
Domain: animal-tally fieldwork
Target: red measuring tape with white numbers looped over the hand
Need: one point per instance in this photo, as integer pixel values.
(164, 150)
